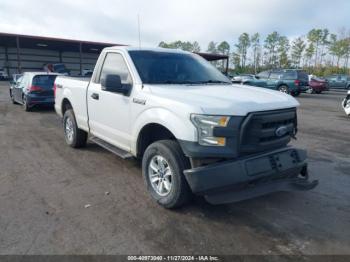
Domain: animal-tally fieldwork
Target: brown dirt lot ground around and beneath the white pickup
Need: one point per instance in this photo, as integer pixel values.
(44, 186)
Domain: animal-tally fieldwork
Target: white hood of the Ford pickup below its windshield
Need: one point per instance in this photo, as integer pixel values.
(225, 99)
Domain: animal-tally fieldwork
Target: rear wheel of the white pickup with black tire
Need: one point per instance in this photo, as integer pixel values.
(78, 137)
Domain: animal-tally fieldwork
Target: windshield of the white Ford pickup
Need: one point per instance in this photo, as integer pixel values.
(175, 68)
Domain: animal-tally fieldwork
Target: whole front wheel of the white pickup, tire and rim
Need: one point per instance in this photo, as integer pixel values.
(162, 167)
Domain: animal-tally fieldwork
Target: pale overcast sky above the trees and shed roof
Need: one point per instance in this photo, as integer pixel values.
(115, 21)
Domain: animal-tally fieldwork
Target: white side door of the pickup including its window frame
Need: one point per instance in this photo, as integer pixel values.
(109, 112)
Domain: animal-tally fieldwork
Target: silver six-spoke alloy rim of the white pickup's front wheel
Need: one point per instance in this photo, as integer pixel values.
(160, 175)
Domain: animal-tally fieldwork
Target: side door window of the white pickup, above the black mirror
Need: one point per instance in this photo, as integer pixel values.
(114, 64)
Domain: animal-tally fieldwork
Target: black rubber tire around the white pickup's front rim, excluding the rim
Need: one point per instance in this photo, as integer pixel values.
(180, 192)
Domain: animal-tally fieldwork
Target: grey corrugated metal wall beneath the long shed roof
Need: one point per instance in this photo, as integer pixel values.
(34, 59)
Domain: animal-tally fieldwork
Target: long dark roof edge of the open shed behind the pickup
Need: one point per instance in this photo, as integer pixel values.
(51, 43)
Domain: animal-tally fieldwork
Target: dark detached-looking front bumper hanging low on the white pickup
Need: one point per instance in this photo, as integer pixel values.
(235, 180)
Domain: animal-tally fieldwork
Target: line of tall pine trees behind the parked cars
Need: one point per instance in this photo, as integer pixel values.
(319, 52)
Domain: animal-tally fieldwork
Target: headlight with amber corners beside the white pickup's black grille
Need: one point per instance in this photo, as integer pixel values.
(205, 125)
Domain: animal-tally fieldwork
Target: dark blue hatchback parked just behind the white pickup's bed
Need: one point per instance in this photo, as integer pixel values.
(34, 88)
